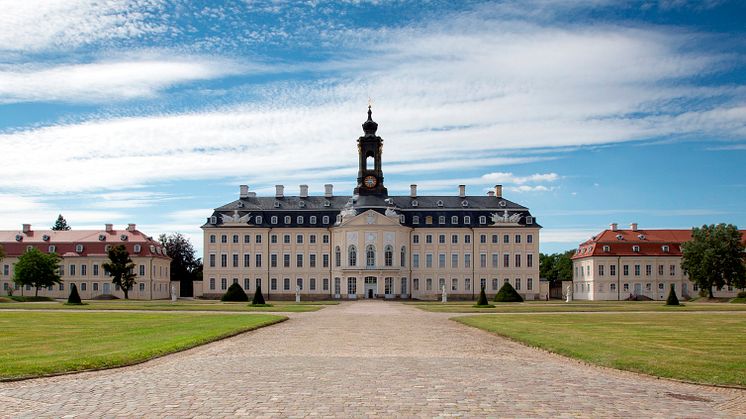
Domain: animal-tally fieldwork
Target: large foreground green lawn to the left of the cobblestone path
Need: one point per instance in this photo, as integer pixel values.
(37, 343)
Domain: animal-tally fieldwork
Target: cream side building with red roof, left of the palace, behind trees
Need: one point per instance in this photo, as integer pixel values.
(83, 253)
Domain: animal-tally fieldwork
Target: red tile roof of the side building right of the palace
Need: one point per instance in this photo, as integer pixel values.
(648, 242)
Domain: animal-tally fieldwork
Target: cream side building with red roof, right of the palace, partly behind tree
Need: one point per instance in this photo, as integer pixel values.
(618, 263)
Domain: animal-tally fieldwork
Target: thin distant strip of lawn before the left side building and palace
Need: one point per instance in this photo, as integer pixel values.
(181, 305)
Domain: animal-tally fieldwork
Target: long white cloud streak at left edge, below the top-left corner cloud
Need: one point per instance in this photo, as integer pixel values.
(107, 81)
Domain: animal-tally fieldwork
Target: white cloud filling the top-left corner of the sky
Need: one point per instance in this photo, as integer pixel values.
(38, 25)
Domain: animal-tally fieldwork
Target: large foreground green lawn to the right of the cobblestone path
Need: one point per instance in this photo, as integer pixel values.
(698, 347)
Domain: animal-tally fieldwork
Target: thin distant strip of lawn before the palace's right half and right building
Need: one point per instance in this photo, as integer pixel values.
(575, 306)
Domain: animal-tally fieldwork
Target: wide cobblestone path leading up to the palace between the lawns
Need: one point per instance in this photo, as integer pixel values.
(365, 359)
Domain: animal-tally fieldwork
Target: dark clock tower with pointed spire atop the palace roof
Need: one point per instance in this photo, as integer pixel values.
(369, 148)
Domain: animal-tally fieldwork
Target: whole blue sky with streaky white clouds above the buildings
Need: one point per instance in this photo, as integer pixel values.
(588, 111)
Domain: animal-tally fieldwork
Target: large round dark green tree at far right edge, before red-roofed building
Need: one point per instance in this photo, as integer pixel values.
(714, 257)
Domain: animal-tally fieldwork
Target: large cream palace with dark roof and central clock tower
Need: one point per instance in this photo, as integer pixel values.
(370, 244)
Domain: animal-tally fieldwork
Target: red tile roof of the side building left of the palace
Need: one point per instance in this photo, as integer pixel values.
(66, 243)
